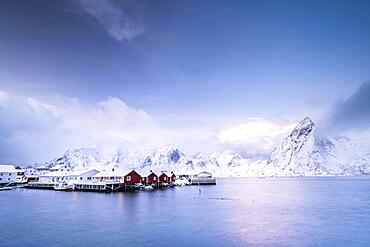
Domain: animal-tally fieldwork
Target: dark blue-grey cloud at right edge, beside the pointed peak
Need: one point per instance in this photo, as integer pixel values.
(353, 112)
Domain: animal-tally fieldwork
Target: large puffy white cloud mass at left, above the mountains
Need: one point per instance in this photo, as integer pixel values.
(34, 131)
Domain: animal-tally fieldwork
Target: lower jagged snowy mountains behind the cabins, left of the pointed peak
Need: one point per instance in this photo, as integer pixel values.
(168, 158)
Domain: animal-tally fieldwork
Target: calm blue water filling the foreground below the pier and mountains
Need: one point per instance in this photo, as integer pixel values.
(236, 212)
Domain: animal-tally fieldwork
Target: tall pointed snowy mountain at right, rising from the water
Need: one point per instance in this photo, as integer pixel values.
(305, 153)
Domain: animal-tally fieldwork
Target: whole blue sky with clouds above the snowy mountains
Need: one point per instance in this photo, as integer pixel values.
(205, 75)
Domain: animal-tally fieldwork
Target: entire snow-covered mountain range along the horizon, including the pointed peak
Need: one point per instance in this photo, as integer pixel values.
(302, 153)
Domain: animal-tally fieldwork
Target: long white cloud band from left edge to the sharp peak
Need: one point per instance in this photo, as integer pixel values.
(32, 130)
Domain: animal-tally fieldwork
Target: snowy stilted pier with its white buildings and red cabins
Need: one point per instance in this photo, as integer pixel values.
(92, 180)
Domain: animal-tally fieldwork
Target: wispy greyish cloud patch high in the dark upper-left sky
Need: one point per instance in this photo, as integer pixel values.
(121, 20)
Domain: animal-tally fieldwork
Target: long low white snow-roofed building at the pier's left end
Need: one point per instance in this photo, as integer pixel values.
(67, 176)
